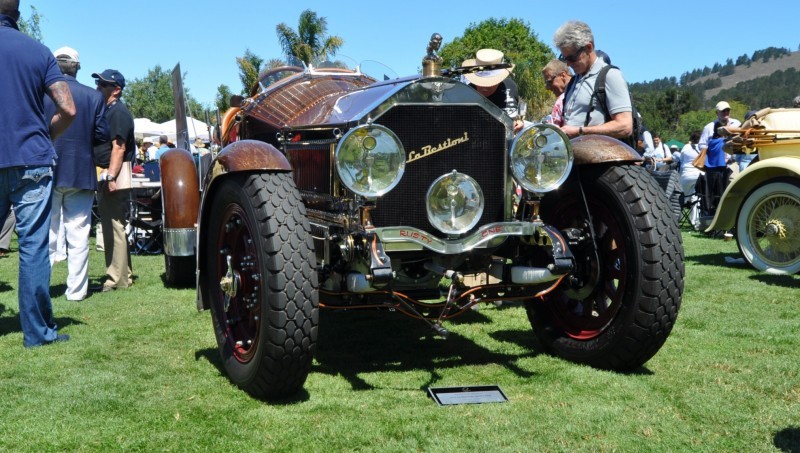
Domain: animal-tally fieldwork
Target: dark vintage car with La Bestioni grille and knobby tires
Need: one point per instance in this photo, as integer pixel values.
(335, 190)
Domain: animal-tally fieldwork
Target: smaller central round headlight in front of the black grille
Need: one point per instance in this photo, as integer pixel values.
(454, 203)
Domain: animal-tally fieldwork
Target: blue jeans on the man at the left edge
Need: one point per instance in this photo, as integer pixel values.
(29, 190)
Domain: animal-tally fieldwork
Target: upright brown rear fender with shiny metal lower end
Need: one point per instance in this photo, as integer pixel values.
(180, 197)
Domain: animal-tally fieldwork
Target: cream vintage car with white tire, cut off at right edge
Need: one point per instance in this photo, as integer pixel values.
(763, 202)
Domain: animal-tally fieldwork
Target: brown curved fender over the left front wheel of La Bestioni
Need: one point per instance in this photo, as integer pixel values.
(237, 157)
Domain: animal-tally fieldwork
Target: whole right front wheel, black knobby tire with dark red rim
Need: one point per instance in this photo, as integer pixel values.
(618, 307)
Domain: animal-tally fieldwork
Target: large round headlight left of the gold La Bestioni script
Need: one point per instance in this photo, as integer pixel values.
(370, 160)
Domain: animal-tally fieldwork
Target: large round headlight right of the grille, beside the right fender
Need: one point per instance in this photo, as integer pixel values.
(541, 158)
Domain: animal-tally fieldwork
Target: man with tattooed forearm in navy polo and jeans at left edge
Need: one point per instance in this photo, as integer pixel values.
(28, 72)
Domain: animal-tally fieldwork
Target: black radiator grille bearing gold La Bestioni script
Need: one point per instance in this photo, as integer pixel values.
(482, 157)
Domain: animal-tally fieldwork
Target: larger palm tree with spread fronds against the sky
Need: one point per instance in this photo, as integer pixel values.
(310, 42)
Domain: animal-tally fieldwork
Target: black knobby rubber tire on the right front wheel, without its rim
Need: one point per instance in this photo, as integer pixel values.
(655, 277)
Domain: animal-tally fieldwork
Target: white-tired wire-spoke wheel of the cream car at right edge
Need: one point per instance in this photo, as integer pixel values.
(768, 228)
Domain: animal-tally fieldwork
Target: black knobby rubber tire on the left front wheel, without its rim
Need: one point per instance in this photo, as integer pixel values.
(288, 294)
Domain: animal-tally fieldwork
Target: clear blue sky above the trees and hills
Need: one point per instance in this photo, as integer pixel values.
(661, 39)
